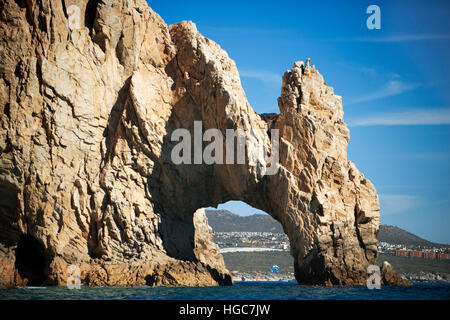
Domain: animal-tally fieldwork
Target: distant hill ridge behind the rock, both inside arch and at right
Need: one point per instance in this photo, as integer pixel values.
(226, 221)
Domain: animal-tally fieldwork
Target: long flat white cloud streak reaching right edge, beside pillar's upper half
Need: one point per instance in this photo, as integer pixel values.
(412, 117)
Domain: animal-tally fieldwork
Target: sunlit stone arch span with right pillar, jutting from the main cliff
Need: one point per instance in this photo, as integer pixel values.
(327, 208)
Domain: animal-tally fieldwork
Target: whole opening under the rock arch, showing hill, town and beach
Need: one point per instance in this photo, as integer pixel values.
(252, 243)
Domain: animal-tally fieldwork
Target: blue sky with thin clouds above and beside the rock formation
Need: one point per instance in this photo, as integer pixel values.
(394, 83)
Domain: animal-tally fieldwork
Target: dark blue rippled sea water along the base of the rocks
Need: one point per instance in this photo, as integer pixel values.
(239, 291)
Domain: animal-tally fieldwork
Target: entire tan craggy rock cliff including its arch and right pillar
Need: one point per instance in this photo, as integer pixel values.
(85, 153)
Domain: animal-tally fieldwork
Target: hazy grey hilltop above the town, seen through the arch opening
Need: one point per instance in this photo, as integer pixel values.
(226, 221)
